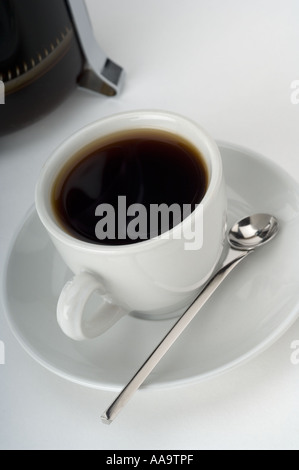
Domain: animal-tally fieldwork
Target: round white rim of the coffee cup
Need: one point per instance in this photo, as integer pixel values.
(55, 163)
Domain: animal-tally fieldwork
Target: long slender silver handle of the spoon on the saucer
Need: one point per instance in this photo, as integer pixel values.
(233, 258)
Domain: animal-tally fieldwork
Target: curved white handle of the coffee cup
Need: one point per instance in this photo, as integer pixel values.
(71, 309)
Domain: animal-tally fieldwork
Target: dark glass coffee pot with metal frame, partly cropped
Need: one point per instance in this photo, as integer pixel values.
(47, 48)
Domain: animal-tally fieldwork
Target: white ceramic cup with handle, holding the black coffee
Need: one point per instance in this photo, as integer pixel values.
(152, 279)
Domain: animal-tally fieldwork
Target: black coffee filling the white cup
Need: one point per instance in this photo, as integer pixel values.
(145, 167)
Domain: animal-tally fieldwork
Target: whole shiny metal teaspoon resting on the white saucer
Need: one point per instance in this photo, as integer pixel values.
(244, 237)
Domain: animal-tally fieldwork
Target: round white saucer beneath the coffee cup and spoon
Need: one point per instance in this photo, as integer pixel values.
(254, 307)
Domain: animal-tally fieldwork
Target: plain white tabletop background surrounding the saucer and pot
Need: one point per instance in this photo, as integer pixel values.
(229, 65)
